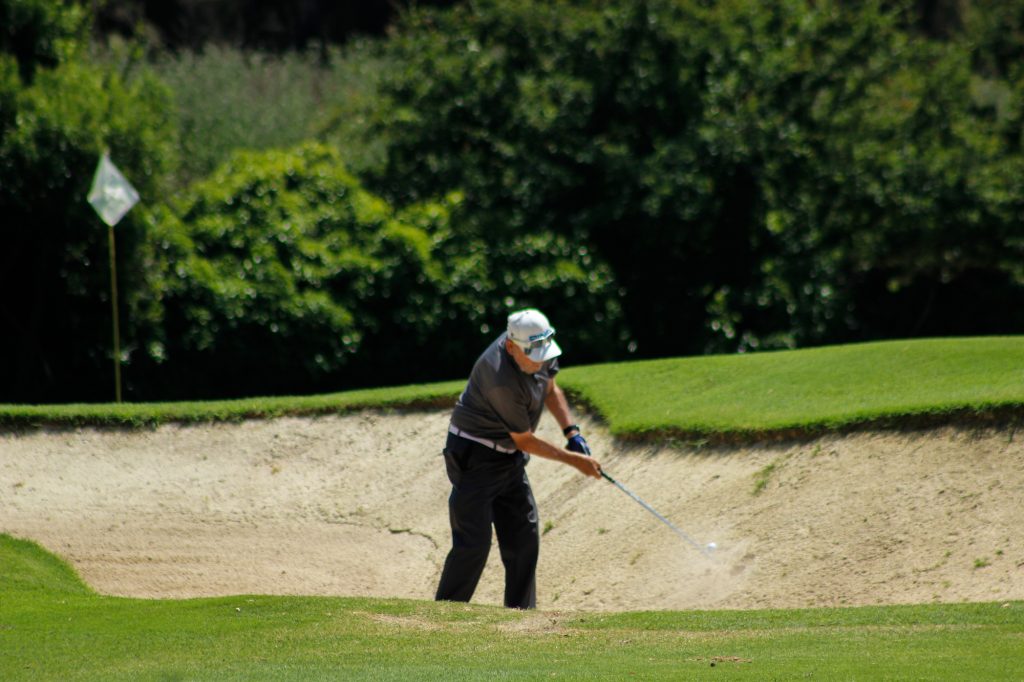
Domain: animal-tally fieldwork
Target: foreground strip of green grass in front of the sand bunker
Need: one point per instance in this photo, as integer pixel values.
(55, 628)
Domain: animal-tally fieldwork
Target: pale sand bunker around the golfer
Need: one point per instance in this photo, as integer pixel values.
(357, 506)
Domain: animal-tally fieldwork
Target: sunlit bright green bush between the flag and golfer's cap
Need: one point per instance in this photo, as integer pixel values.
(284, 275)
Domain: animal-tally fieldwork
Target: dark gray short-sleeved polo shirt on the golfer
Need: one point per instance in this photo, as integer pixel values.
(500, 399)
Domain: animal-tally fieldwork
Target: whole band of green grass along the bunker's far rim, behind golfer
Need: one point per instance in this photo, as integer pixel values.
(723, 397)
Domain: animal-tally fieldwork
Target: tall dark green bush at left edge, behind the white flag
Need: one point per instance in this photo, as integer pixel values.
(58, 114)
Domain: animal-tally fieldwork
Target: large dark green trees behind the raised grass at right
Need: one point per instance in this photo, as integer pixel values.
(757, 175)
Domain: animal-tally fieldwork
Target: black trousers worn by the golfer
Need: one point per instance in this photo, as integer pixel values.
(490, 488)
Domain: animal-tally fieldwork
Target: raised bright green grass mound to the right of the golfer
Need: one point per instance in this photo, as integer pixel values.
(813, 390)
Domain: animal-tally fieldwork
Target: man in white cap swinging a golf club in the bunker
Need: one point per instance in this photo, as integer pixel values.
(489, 445)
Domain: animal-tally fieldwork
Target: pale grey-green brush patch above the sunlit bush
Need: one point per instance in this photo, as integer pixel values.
(227, 100)
